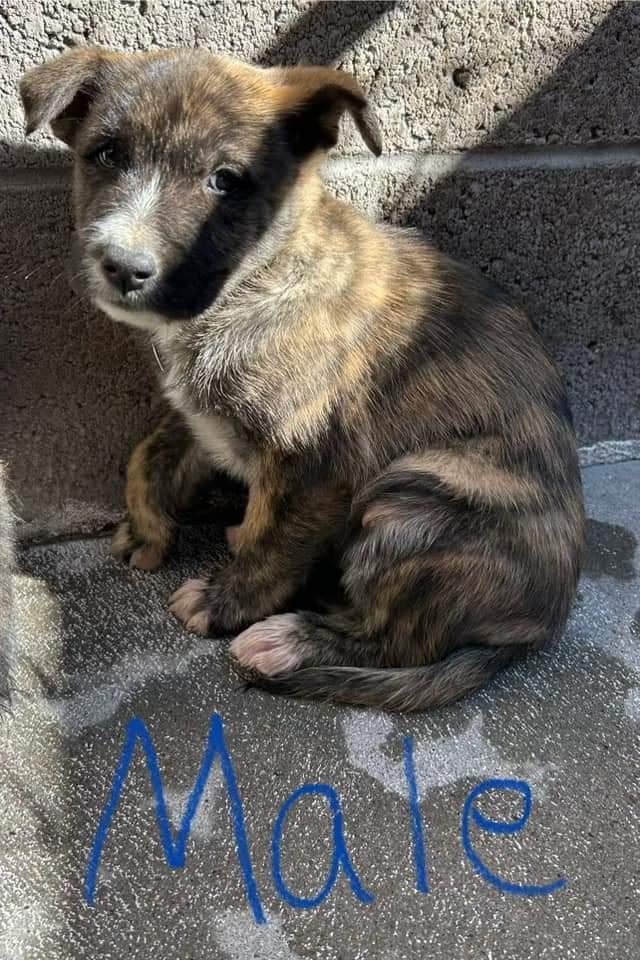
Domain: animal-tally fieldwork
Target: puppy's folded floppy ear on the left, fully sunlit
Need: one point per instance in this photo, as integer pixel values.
(59, 92)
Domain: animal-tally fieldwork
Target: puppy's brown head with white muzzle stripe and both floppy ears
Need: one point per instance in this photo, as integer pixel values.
(185, 165)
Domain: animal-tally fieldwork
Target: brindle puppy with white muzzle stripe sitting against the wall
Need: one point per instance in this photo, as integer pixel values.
(383, 404)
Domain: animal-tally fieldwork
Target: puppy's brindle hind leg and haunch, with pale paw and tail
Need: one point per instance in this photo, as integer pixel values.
(440, 595)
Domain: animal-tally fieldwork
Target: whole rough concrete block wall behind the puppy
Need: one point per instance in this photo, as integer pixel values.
(512, 137)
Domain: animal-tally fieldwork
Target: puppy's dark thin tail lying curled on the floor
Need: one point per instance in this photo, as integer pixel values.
(394, 689)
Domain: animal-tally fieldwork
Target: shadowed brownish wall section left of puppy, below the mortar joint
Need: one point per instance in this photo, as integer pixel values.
(74, 389)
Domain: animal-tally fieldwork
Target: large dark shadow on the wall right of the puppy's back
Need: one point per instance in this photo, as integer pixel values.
(564, 237)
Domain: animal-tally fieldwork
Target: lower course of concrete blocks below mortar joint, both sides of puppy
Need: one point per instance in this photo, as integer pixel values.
(78, 390)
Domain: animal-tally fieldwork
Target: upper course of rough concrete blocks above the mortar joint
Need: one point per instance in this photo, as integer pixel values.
(444, 75)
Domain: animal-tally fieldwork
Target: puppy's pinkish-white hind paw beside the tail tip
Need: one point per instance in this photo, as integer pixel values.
(270, 647)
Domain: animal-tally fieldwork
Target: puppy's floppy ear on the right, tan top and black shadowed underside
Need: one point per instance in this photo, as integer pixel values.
(318, 98)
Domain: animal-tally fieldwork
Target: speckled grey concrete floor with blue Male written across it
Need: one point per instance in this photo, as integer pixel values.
(98, 649)
